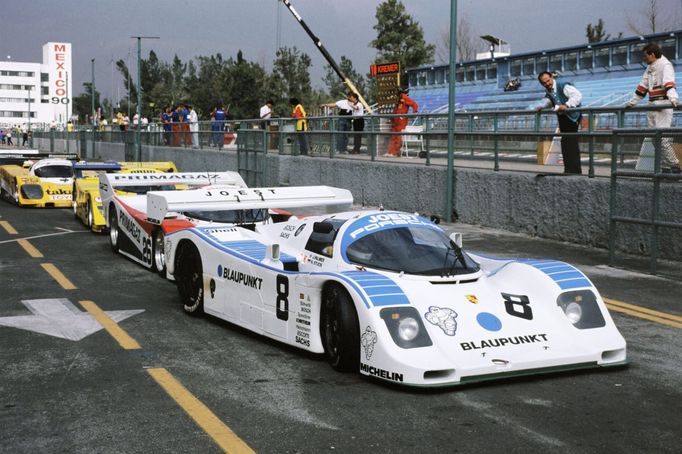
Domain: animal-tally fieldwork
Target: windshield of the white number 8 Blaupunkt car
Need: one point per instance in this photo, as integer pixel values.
(413, 250)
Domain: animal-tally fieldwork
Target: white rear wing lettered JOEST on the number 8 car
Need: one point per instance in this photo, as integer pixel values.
(224, 199)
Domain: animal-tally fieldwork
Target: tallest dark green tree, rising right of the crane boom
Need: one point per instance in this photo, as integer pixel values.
(400, 37)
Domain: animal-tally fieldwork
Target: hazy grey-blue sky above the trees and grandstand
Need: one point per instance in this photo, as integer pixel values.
(102, 29)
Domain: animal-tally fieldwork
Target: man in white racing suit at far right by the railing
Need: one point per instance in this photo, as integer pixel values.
(659, 82)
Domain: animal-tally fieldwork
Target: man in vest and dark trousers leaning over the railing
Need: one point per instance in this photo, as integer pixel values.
(564, 96)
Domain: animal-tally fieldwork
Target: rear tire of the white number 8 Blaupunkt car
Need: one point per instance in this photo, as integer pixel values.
(190, 279)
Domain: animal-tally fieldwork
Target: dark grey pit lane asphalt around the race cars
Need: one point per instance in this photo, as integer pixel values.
(91, 395)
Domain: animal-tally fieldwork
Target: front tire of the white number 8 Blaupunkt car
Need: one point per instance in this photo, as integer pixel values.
(340, 330)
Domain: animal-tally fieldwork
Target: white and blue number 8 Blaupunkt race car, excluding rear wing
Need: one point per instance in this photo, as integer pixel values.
(390, 295)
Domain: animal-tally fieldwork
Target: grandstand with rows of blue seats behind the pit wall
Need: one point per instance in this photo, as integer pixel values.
(606, 73)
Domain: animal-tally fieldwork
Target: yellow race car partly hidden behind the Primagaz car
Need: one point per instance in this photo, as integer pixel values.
(87, 203)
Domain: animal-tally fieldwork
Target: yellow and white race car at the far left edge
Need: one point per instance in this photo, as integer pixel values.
(41, 183)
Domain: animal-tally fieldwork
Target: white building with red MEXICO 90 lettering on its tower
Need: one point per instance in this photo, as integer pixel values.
(37, 94)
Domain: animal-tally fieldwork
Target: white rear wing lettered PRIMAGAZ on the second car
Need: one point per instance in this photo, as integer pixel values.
(108, 182)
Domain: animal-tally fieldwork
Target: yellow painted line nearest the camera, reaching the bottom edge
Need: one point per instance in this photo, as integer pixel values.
(227, 440)
